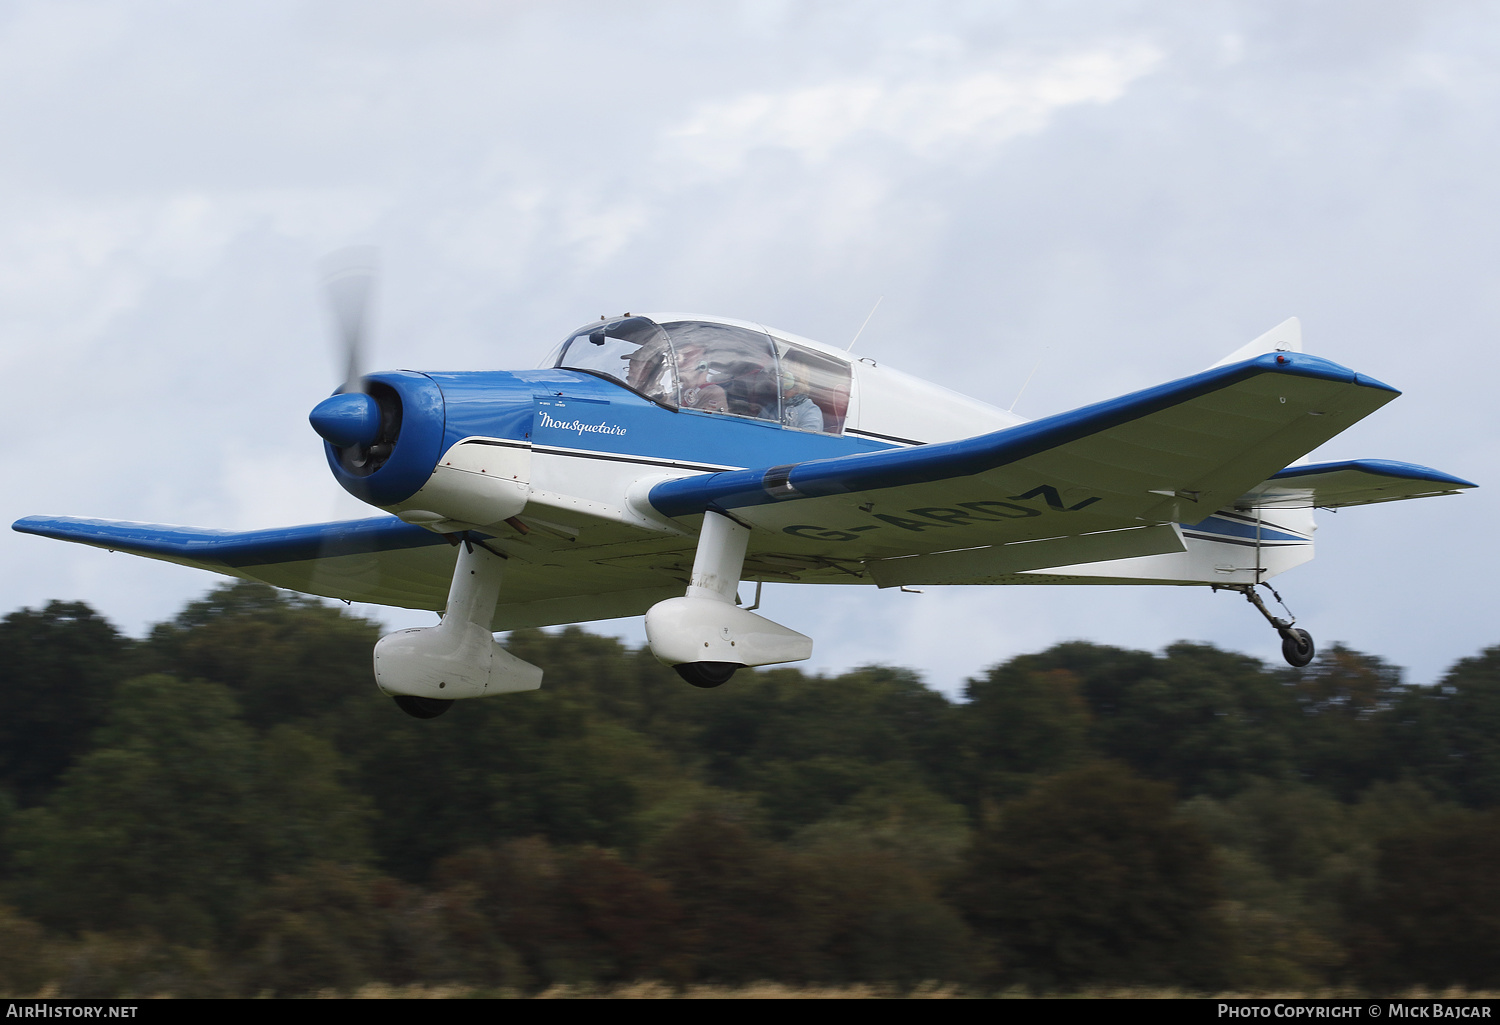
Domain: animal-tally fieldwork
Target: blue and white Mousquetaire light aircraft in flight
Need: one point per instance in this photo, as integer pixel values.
(652, 464)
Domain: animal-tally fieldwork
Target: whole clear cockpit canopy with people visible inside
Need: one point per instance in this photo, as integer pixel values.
(718, 368)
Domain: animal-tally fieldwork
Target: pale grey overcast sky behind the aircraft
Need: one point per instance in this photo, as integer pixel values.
(1114, 194)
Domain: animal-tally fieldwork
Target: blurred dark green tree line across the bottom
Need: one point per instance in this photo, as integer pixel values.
(229, 807)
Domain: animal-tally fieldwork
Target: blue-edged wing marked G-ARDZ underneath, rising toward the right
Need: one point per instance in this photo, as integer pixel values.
(1171, 454)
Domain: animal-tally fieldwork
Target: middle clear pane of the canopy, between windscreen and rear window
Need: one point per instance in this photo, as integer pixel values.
(727, 370)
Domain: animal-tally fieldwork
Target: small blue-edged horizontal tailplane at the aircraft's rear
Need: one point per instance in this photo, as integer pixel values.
(1358, 482)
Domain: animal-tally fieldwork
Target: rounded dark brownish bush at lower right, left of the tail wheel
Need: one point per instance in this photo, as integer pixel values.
(1093, 880)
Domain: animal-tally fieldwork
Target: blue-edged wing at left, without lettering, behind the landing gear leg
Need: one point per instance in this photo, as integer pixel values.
(386, 562)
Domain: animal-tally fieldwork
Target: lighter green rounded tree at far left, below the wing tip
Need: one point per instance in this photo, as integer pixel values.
(176, 814)
